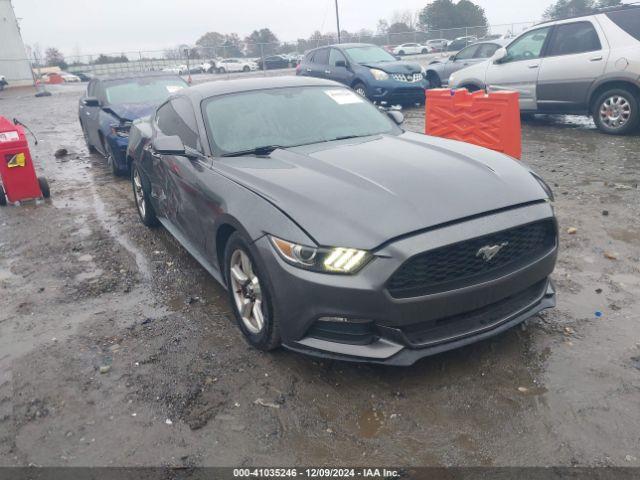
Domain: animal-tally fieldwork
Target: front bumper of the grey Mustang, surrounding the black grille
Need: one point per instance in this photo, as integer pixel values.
(398, 331)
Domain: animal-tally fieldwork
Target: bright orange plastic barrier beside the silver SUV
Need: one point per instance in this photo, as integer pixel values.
(488, 120)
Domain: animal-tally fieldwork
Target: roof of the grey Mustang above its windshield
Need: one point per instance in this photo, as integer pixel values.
(225, 87)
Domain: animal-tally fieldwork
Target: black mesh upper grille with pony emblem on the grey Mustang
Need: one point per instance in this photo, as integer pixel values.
(475, 260)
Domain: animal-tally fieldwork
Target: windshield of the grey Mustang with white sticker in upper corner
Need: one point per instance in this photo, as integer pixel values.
(289, 117)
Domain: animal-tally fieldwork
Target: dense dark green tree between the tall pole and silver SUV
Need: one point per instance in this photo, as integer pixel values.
(445, 14)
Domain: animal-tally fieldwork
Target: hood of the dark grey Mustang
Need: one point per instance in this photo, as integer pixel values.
(362, 193)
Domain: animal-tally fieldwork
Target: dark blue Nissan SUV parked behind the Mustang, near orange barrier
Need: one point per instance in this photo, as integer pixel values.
(369, 70)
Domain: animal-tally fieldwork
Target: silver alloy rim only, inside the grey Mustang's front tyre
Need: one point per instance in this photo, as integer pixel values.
(246, 291)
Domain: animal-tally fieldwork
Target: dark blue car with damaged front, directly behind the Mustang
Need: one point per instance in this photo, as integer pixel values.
(110, 106)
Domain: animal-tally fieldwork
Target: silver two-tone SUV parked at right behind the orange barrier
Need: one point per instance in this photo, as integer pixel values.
(588, 65)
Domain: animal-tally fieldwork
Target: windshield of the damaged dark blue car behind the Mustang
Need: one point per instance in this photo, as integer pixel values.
(142, 90)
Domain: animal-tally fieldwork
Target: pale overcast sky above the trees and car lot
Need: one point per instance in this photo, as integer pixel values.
(113, 26)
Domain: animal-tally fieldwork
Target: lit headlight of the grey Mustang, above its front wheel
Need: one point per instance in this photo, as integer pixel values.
(325, 260)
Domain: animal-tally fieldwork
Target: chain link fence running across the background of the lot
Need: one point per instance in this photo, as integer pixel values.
(251, 56)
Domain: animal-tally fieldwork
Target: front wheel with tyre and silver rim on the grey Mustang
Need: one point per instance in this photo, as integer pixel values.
(250, 296)
